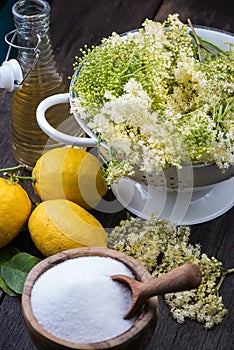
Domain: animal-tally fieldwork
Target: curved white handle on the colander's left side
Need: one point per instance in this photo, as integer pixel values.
(52, 132)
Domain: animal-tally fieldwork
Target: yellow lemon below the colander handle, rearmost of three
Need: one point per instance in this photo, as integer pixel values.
(69, 173)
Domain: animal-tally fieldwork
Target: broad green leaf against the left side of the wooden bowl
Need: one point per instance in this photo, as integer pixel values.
(15, 270)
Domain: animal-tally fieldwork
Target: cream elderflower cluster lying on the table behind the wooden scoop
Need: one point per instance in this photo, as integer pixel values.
(161, 246)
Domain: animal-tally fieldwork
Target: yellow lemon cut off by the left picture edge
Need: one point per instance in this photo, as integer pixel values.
(15, 208)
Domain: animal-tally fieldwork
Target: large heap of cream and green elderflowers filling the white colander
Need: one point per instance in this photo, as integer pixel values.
(154, 101)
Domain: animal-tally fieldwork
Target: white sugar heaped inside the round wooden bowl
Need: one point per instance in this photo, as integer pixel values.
(78, 301)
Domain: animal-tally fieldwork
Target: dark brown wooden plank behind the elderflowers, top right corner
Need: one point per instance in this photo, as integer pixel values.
(217, 14)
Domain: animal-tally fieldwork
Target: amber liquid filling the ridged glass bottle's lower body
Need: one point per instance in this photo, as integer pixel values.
(29, 141)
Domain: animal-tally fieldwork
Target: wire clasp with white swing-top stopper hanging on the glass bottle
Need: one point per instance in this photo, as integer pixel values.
(11, 76)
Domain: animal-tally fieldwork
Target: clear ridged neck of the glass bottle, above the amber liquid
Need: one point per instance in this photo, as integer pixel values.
(32, 18)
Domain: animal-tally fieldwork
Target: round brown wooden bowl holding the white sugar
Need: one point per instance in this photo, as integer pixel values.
(136, 337)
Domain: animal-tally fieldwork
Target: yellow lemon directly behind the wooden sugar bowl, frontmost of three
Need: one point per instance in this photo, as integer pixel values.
(58, 224)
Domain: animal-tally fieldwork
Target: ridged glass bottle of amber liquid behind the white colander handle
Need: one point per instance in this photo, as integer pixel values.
(32, 18)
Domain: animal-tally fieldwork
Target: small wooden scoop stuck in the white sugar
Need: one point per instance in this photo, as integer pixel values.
(185, 277)
